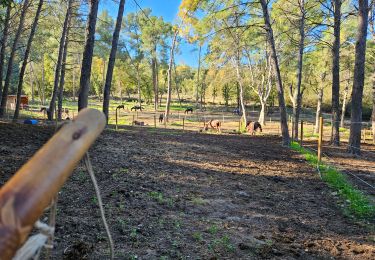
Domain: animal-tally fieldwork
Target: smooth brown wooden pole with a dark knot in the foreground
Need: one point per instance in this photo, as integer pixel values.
(25, 196)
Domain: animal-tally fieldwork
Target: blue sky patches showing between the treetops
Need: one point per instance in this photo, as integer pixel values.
(168, 9)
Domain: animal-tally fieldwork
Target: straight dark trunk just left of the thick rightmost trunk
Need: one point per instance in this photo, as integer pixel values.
(335, 138)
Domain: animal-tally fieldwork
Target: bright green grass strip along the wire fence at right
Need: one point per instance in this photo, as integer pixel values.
(358, 203)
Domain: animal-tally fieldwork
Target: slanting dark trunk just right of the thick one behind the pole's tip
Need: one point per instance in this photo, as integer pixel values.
(112, 59)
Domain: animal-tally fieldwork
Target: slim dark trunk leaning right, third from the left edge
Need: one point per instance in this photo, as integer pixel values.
(25, 59)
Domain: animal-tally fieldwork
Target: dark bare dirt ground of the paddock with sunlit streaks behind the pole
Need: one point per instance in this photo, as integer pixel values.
(183, 195)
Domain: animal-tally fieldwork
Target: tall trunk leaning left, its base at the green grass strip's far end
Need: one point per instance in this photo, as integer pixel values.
(279, 84)
